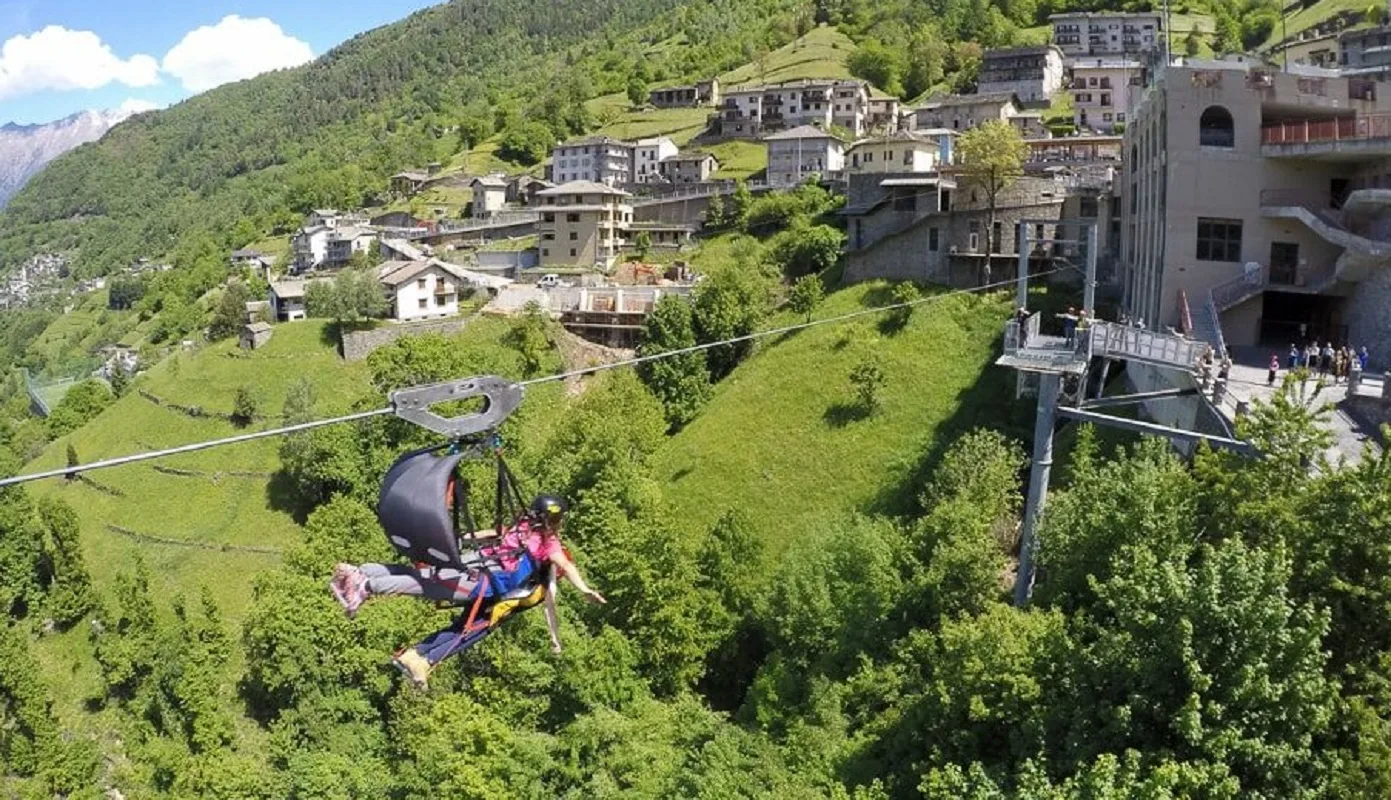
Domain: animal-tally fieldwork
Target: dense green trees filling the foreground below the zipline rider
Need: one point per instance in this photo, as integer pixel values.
(1201, 628)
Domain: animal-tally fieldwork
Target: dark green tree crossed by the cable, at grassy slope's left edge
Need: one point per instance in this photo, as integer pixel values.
(681, 383)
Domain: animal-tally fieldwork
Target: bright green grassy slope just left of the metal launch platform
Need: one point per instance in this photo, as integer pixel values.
(782, 440)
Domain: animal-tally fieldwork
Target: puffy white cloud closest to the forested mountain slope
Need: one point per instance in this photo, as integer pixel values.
(232, 51)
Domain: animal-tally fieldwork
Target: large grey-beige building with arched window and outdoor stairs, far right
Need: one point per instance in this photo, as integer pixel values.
(1258, 205)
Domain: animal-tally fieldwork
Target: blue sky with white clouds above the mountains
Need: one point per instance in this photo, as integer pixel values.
(63, 56)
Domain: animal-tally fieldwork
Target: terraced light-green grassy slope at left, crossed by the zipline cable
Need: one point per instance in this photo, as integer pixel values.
(229, 503)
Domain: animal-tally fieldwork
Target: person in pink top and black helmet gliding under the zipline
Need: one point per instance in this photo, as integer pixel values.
(528, 553)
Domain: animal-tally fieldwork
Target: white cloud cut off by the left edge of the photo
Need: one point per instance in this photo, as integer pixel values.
(58, 59)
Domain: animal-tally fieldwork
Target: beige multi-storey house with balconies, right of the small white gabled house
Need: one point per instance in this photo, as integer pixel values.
(584, 225)
